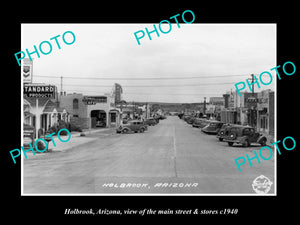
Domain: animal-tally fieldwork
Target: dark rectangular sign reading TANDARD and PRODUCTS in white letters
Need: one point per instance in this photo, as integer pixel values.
(39, 91)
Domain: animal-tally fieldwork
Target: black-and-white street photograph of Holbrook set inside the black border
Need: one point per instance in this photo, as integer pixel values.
(129, 109)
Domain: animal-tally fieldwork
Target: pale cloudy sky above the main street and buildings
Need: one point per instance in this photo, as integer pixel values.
(183, 66)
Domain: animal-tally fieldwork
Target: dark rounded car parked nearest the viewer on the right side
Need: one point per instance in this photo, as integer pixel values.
(244, 135)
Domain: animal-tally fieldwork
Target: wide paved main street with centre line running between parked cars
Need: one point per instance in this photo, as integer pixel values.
(171, 157)
